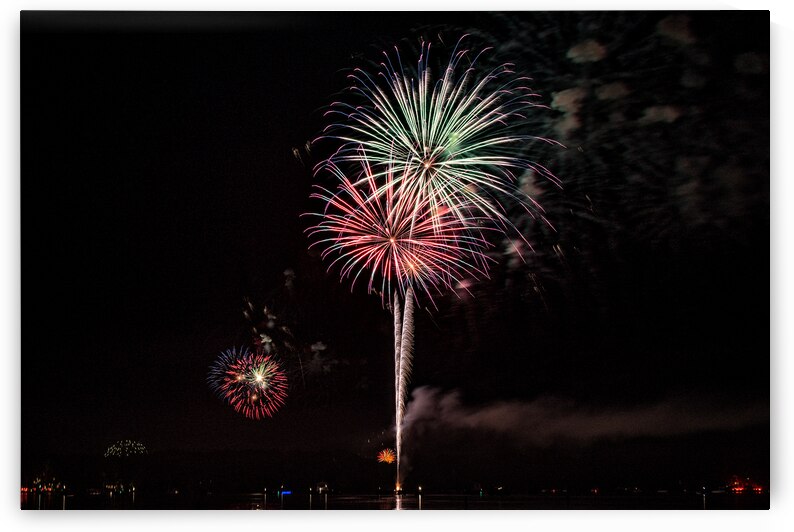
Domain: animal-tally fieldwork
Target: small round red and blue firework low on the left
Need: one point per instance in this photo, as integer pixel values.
(253, 383)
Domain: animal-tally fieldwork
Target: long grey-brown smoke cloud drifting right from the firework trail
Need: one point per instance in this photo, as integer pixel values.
(549, 420)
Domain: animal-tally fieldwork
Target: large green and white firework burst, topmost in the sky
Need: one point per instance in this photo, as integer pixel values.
(455, 142)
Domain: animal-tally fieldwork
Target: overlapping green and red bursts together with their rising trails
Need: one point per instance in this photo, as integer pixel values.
(440, 162)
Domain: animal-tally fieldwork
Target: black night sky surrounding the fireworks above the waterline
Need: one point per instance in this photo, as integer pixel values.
(160, 189)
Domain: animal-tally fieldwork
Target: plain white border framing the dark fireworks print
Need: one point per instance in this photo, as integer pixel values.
(782, 37)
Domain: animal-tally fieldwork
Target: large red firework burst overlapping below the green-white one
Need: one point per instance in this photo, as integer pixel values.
(401, 238)
